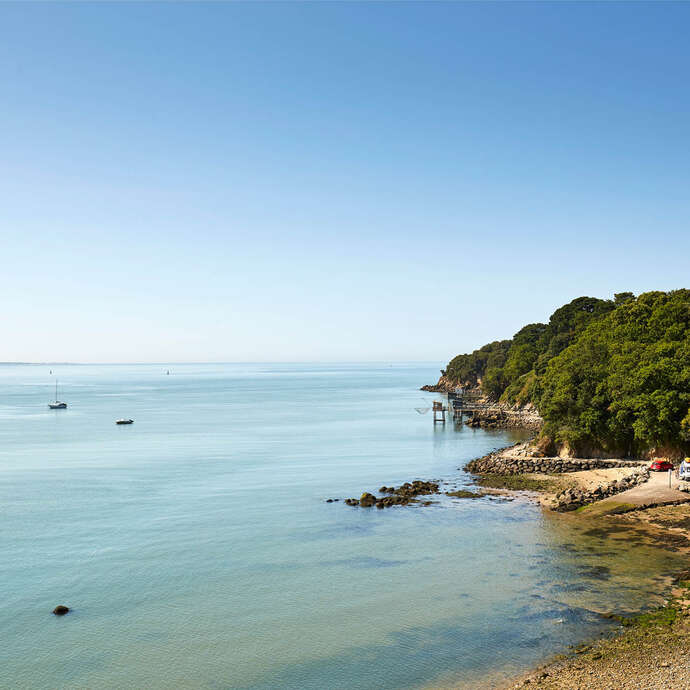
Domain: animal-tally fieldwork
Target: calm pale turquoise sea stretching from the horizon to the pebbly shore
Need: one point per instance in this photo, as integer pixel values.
(197, 550)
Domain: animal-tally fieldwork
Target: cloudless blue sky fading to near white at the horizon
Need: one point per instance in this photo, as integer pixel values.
(228, 182)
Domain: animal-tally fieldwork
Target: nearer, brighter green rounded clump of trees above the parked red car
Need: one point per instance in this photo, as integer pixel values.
(624, 384)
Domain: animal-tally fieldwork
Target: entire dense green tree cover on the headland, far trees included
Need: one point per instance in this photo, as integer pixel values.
(606, 375)
